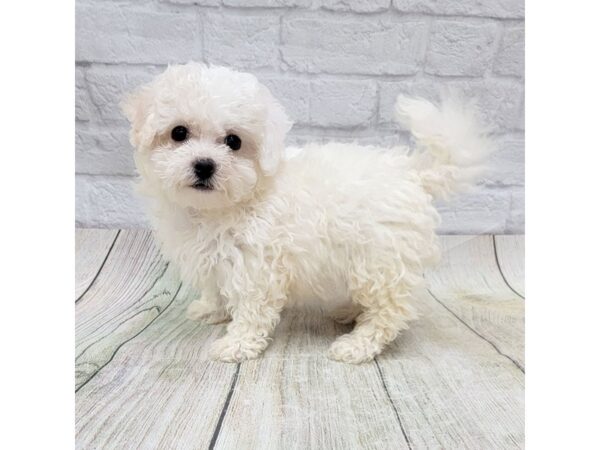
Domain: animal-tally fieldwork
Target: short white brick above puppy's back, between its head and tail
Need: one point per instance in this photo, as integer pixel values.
(339, 103)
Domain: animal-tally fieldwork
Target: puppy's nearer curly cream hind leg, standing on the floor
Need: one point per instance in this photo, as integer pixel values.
(386, 312)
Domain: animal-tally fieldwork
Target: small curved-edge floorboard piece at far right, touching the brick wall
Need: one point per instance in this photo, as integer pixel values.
(510, 253)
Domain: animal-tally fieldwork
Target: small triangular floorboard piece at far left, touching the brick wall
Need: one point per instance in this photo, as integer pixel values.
(91, 249)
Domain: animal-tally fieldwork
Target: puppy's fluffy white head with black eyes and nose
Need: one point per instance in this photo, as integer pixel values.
(205, 136)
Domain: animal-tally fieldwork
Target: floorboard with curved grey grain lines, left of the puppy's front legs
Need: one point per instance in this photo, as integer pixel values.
(127, 295)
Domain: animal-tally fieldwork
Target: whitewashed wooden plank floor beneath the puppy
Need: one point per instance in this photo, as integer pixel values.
(144, 379)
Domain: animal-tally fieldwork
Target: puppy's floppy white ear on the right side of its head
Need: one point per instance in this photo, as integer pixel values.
(277, 125)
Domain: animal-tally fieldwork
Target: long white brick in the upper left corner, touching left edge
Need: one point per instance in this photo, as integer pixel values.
(116, 32)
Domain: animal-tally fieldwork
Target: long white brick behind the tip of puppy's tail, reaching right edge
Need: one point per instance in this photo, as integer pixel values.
(500, 101)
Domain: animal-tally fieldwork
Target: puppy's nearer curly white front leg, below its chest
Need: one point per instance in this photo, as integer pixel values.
(253, 320)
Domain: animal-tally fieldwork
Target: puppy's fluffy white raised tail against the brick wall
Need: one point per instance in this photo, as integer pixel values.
(452, 146)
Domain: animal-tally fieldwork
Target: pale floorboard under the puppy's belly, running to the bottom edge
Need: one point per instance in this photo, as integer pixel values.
(296, 398)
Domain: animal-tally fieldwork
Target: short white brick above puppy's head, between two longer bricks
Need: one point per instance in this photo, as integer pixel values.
(246, 41)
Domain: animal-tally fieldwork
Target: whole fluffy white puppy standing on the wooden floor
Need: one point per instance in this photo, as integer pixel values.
(256, 228)
